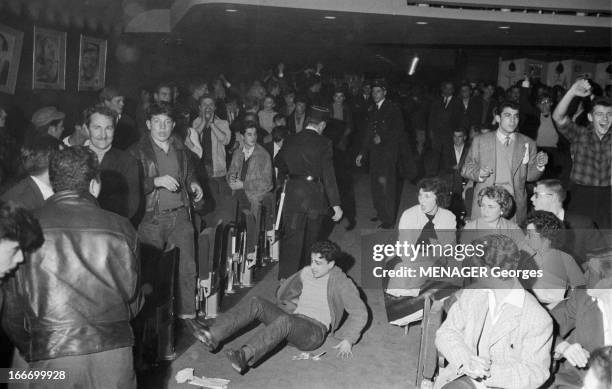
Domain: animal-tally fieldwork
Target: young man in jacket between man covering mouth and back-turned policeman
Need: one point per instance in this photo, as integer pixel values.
(250, 178)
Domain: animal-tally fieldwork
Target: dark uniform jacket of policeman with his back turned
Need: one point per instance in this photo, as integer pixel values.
(308, 154)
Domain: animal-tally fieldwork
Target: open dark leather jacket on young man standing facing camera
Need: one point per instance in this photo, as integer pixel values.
(144, 154)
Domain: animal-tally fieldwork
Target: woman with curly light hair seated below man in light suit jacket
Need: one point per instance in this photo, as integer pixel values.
(495, 205)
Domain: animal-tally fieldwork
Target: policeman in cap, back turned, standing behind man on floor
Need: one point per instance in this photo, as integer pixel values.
(305, 161)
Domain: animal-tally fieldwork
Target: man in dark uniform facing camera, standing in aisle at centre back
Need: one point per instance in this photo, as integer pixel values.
(385, 125)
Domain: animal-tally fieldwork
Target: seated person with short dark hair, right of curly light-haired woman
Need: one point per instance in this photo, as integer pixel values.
(560, 270)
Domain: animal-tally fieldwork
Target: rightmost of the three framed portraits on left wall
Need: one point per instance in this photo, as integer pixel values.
(92, 63)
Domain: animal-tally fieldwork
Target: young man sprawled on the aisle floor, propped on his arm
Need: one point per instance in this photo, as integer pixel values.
(310, 303)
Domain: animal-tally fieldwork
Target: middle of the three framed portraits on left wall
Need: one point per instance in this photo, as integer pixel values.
(49, 59)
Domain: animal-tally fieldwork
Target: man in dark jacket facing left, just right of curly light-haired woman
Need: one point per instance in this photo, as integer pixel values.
(583, 236)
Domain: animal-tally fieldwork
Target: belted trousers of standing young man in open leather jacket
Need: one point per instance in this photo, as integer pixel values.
(175, 229)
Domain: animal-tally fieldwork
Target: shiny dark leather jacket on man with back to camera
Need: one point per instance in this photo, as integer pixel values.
(77, 294)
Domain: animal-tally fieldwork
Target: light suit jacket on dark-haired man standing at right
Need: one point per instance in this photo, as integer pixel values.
(482, 153)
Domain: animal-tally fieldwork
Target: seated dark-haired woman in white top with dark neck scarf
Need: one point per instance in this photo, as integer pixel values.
(428, 222)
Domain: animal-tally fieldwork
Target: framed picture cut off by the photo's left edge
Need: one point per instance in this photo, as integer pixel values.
(11, 42)
